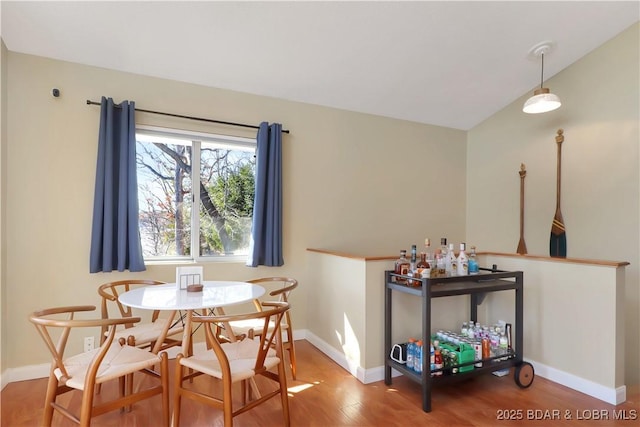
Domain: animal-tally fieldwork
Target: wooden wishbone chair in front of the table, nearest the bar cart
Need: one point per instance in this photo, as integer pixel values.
(256, 354)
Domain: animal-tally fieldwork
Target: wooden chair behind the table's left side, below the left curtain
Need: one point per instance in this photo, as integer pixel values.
(143, 334)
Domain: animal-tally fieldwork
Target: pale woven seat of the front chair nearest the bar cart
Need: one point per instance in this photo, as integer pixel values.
(241, 356)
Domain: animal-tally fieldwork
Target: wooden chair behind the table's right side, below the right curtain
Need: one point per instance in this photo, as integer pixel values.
(279, 289)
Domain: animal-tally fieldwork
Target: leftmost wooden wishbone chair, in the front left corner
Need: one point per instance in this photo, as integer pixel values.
(112, 360)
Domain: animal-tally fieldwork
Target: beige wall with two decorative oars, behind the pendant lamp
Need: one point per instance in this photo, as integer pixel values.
(600, 172)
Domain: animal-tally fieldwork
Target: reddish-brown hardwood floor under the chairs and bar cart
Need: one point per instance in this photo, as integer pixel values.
(326, 395)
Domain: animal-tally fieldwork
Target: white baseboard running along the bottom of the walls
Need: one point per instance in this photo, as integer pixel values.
(614, 396)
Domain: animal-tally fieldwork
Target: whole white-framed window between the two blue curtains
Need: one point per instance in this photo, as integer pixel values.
(195, 194)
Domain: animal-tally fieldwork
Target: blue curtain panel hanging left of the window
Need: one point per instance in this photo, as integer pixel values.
(115, 237)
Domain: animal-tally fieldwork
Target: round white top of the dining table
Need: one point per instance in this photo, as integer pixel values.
(169, 297)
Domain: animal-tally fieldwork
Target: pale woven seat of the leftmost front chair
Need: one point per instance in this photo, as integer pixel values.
(119, 360)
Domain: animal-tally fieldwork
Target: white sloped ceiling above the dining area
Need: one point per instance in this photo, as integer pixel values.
(445, 63)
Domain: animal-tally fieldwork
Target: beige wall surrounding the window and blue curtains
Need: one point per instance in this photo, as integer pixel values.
(352, 181)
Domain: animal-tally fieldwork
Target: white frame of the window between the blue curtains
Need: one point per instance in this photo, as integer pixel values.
(196, 139)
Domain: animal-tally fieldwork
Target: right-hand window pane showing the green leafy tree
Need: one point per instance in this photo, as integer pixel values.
(226, 193)
